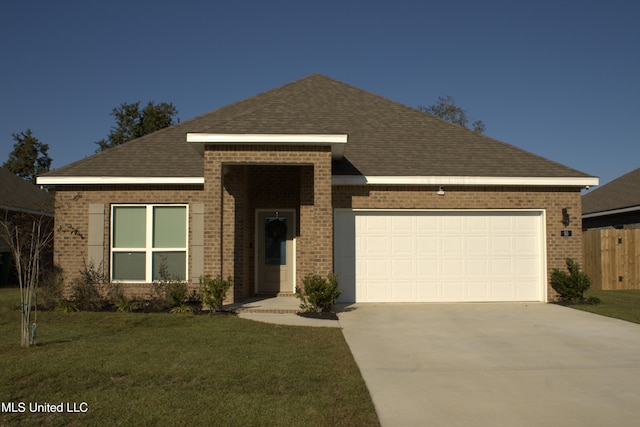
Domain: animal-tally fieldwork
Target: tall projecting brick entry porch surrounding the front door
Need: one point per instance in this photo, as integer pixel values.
(274, 177)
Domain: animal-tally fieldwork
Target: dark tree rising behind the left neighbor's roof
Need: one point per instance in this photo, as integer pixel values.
(29, 157)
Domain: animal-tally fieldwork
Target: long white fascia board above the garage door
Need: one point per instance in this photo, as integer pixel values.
(465, 180)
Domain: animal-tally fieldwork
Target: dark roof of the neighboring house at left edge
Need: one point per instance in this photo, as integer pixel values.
(16, 194)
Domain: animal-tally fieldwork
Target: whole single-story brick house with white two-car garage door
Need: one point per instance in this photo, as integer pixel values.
(318, 176)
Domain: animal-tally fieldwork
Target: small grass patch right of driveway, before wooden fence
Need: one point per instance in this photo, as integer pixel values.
(623, 305)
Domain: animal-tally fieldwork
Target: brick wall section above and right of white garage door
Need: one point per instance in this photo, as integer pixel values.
(552, 200)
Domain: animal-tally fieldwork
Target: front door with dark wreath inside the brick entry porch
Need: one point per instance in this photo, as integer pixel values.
(275, 251)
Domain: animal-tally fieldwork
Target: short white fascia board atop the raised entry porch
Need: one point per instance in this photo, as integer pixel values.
(336, 141)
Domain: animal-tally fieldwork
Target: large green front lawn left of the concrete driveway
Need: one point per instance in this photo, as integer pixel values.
(163, 369)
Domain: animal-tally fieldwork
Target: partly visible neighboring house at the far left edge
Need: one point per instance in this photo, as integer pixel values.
(18, 197)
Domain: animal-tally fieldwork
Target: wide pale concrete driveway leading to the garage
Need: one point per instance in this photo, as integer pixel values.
(495, 364)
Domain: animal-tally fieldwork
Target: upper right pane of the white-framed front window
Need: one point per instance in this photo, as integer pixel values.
(170, 227)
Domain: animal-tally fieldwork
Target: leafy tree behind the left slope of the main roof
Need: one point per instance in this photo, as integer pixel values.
(133, 122)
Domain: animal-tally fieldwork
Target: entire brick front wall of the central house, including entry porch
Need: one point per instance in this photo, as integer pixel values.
(296, 178)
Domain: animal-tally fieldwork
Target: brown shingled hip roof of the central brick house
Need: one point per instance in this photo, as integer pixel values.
(385, 138)
